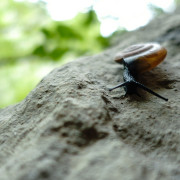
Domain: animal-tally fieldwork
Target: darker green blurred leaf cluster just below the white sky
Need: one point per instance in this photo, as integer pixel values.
(74, 37)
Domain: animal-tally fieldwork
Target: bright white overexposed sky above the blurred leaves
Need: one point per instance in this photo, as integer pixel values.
(113, 14)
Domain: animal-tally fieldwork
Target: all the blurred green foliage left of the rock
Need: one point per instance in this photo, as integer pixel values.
(31, 42)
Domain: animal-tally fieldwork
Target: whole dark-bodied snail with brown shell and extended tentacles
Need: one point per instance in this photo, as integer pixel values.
(138, 59)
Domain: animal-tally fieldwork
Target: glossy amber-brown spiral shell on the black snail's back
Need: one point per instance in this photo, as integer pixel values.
(142, 57)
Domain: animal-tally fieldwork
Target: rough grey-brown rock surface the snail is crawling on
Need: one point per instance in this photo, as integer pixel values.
(70, 127)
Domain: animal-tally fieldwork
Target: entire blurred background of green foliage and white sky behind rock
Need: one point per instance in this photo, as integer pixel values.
(38, 35)
